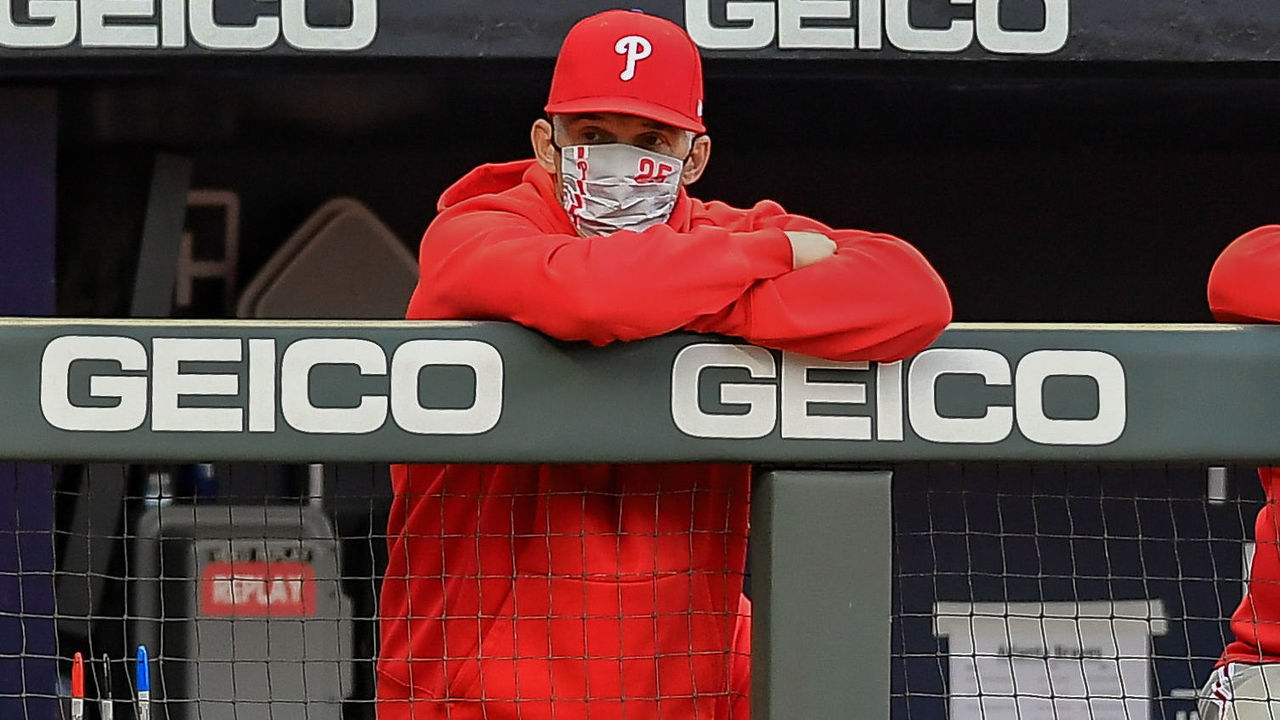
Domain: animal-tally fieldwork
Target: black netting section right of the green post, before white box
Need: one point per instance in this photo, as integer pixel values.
(1064, 591)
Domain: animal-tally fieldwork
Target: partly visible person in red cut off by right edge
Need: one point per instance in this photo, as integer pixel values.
(1242, 289)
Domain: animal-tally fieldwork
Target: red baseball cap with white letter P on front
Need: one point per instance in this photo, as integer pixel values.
(633, 63)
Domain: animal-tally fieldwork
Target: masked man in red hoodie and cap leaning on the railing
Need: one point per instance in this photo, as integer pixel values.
(575, 593)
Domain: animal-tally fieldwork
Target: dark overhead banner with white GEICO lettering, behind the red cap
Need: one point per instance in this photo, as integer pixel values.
(836, 30)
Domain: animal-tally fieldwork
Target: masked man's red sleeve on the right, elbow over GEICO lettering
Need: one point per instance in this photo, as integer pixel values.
(877, 299)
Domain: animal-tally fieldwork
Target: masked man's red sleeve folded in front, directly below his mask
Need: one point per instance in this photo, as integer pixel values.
(496, 265)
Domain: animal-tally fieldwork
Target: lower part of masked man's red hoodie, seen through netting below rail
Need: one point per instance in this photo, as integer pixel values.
(568, 591)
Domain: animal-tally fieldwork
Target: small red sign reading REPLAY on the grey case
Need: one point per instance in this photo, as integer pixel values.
(258, 590)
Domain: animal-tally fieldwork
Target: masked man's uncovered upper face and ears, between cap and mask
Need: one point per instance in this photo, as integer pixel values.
(601, 129)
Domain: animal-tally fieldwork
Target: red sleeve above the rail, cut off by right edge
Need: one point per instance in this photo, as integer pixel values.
(1245, 284)
